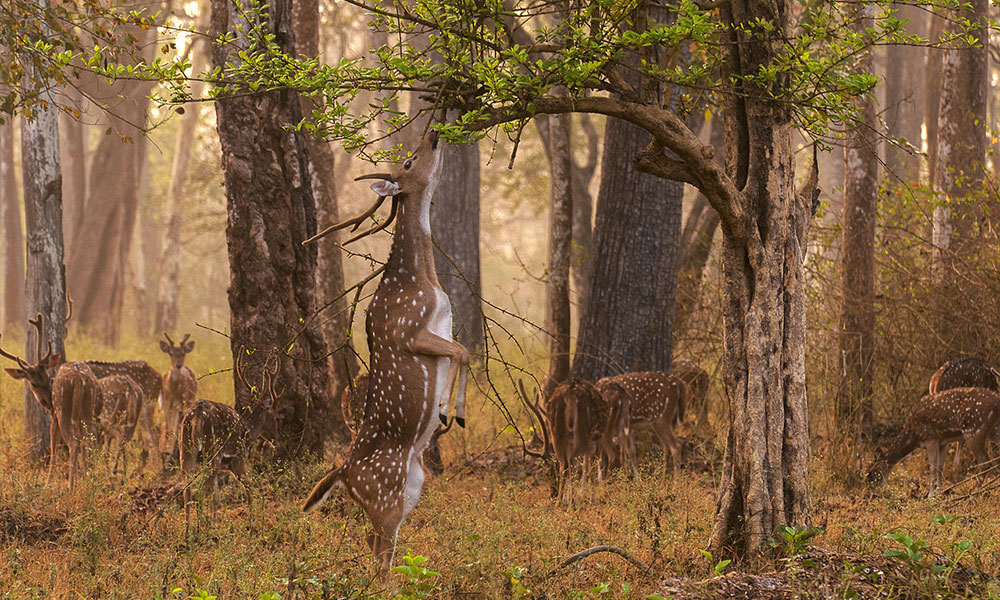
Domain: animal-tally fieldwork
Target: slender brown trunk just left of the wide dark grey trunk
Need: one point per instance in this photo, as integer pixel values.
(560, 237)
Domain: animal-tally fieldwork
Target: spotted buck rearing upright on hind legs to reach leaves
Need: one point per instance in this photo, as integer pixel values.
(414, 361)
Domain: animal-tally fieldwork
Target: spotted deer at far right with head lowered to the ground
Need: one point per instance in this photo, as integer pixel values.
(967, 414)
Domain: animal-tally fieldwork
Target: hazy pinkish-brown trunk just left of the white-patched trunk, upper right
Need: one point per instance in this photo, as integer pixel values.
(904, 100)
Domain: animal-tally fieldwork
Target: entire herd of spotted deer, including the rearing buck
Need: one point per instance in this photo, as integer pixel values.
(398, 410)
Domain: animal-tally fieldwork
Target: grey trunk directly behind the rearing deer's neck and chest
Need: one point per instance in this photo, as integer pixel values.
(455, 223)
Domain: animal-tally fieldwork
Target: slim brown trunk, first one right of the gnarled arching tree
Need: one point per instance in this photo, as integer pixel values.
(857, 313)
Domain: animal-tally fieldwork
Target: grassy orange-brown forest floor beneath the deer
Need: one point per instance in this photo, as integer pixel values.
(487, 528)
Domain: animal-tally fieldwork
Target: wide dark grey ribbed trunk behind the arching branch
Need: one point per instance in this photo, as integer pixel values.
(627, 320)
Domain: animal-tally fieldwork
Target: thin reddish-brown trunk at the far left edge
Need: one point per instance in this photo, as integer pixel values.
(13, 237)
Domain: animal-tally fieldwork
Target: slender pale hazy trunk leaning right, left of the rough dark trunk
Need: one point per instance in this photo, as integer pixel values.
(169, 284)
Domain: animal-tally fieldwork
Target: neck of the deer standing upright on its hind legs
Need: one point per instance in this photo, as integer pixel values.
(412, 253)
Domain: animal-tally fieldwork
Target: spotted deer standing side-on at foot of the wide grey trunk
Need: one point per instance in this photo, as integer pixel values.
(655, 401)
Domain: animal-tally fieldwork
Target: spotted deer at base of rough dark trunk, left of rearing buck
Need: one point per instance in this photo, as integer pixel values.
(218, 437)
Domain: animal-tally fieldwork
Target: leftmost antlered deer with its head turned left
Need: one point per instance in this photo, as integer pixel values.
(72, 399)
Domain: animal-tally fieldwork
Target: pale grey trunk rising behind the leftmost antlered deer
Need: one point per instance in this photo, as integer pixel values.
(46, 277)
